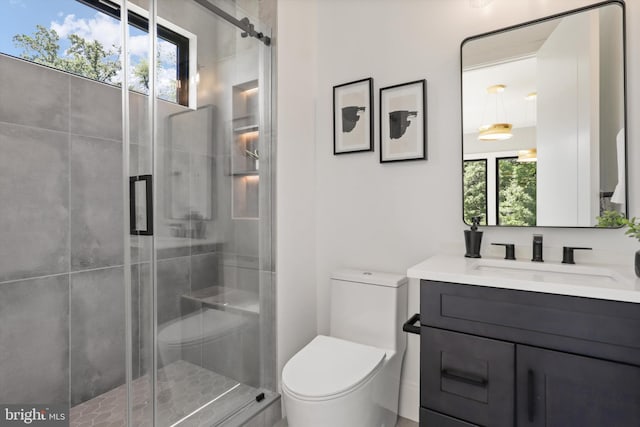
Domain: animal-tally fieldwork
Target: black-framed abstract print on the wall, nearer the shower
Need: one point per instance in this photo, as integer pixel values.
(353, 117)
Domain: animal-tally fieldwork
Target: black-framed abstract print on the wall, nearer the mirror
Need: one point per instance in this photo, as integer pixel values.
(403, 122)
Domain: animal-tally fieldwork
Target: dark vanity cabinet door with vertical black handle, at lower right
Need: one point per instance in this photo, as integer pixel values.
(561, 389)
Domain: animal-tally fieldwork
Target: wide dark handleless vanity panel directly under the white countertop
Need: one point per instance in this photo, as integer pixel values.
(599, 328)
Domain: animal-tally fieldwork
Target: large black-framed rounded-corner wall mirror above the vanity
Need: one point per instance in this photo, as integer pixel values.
(543, 121)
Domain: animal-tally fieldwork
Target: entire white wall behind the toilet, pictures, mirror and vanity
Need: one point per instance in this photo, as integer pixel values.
(389, 217)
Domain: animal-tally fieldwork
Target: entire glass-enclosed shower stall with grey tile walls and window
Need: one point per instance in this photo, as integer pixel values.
(136, 257)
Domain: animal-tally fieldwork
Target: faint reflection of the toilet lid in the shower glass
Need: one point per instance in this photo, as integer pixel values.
(191, 332)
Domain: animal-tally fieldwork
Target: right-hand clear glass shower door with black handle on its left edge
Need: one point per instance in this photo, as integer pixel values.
(211, 277)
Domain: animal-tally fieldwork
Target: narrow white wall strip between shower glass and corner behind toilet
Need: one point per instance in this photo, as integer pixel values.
(295, 188)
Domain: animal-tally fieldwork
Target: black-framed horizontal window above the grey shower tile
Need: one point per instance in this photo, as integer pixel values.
(83, 37)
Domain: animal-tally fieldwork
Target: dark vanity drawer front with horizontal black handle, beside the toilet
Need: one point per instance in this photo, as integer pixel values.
(466, 375)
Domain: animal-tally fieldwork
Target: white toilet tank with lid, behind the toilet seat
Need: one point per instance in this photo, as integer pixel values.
(369, 308)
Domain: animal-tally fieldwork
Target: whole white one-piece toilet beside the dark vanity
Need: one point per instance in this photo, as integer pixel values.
(351, 378)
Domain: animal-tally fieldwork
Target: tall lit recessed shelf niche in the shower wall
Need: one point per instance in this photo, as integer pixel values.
(245, 155)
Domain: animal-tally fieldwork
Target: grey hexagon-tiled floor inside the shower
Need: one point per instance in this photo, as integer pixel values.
(185, 395)
